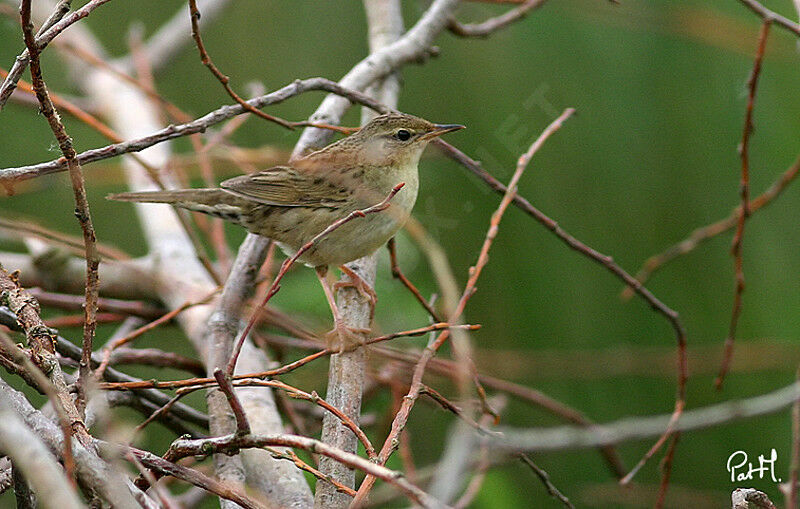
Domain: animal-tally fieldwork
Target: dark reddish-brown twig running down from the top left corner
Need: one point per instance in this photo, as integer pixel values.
(81, 203)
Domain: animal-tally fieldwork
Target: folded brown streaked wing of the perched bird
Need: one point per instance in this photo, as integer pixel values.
(284, 186)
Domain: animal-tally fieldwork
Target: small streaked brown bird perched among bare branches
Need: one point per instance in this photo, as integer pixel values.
(291, 204)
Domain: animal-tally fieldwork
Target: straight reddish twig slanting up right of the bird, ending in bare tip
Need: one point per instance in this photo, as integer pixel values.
(402, 416)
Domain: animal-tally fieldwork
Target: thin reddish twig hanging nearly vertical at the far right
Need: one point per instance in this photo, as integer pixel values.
(744, 209)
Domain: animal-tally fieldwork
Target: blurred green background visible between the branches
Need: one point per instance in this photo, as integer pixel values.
(660, 91)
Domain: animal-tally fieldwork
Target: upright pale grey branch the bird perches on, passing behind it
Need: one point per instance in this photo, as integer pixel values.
(347, 370)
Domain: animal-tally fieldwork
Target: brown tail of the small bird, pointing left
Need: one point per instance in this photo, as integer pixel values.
(216, 202)
